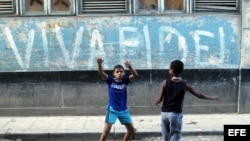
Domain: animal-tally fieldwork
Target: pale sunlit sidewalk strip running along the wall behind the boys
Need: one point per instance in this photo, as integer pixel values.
(91, 126)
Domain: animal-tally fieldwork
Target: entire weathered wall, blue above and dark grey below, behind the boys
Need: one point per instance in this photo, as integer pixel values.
(48, 63)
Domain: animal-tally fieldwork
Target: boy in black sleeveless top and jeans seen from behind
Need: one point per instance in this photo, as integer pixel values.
(171, 99)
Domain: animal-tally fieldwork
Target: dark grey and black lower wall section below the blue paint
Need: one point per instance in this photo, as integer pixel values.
(84, 93)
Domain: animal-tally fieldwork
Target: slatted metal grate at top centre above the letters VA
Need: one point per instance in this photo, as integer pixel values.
(103, 6)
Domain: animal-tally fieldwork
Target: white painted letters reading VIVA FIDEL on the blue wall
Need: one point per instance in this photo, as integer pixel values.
(140, 41)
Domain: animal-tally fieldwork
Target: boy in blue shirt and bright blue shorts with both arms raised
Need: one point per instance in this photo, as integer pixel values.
(117, 103)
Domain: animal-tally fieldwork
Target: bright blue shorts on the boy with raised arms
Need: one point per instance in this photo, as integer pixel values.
(123, 116)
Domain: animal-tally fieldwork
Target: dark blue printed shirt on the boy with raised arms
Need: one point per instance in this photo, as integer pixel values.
(117, 92)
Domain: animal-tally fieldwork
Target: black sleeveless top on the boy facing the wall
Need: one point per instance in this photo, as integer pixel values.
(174, 96)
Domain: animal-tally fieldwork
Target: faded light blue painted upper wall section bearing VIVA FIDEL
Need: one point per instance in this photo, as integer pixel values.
(71, 43)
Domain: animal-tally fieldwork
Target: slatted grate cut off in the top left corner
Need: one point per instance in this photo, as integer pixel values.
(6, 7)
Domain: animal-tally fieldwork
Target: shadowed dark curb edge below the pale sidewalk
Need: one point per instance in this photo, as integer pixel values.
(92, 136)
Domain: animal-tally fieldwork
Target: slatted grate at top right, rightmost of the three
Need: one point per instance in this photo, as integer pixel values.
(215, 5)
